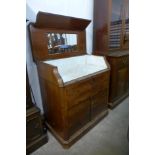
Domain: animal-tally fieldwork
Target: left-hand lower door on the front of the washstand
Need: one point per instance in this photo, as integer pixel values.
(78, 116)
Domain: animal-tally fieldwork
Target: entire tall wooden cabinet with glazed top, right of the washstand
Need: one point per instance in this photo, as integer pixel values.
(111, 39)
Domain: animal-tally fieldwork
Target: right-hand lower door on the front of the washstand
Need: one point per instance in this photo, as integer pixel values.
(99, 103)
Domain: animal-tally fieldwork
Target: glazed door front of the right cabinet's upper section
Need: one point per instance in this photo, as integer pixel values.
(119, 25)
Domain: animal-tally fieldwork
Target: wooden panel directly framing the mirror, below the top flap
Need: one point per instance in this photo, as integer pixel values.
(39, 43)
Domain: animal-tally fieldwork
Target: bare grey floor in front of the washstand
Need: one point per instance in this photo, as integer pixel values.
(108, 137)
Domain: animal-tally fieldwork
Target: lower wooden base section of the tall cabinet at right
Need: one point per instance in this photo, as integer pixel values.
(119, 76)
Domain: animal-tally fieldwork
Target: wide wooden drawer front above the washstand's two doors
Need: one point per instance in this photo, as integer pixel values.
(82, 90)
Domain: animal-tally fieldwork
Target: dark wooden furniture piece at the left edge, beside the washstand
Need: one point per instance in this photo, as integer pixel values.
(35, 134)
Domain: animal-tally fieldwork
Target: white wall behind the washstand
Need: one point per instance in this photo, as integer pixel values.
(74, 8)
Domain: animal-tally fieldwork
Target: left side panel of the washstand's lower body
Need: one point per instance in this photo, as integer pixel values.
(54, 111)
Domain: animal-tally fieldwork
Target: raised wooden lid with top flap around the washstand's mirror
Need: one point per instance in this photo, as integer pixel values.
(56, 23)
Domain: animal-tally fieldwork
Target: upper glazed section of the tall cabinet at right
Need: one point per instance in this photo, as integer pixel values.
(111, 25)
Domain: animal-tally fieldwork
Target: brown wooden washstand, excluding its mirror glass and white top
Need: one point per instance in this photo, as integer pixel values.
(70, 108)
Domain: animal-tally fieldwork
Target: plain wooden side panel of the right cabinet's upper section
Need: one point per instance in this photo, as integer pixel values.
(101, 21)
